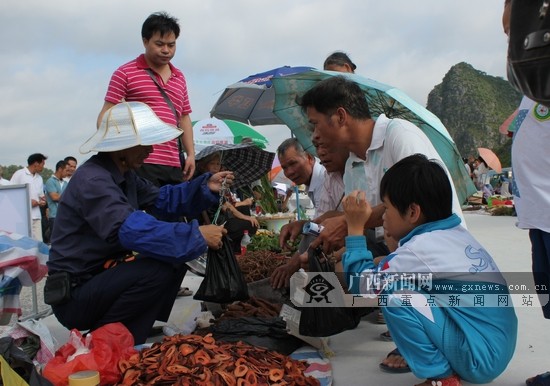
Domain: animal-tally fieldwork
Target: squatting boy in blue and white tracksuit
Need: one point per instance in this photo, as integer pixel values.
(444, 336)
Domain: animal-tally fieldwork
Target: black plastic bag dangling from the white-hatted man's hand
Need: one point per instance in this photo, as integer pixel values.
(223, 281)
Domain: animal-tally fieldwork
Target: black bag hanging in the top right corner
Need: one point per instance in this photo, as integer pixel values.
(528, 65)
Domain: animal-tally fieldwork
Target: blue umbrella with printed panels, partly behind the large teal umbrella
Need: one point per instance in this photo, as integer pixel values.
(251, 99)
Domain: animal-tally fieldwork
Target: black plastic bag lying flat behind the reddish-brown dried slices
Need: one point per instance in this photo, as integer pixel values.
(269, 333)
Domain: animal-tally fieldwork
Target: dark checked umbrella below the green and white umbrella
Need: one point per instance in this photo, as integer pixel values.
(247, 161)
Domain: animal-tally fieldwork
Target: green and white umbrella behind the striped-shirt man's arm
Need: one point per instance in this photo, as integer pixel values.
(212, 131)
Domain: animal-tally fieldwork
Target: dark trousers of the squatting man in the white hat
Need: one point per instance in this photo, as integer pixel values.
(135, 293)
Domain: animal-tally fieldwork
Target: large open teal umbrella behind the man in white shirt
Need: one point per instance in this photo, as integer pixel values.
(383, 99)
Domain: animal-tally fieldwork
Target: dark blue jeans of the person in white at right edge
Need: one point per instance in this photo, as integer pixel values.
(540, 244)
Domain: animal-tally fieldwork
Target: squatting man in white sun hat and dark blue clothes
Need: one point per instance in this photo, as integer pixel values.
(118, 262)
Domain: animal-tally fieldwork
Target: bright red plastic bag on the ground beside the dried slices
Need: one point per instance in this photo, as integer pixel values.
(107, 346)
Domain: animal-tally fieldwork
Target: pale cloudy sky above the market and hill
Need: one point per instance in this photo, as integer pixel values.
(58, 55)
